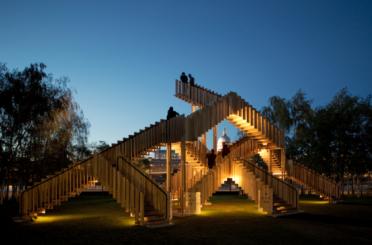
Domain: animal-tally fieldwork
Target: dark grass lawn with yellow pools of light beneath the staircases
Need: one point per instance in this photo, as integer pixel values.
(97, 219)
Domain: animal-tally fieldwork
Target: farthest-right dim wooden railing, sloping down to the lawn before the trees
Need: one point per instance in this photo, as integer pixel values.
(313, 180)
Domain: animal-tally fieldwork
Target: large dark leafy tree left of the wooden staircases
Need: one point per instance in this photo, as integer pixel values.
(41, 126)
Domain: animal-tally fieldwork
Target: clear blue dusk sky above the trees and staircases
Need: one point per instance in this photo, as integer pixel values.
(122, 57)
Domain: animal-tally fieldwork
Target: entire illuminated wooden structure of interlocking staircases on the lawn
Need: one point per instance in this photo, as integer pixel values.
(149, 203)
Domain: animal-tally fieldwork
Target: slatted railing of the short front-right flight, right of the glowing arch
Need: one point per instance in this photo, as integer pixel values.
(281, 189)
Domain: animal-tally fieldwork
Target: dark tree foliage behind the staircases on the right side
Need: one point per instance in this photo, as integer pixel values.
(334, 139)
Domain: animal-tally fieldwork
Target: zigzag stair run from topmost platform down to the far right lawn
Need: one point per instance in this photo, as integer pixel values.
(251, 122)
